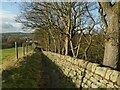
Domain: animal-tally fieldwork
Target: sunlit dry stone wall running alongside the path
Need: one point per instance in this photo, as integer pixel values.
(86, 74)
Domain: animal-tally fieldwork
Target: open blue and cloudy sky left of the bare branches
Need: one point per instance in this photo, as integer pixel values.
(9, 11)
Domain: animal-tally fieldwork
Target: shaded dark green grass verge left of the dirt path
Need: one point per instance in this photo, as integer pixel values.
(27, 75)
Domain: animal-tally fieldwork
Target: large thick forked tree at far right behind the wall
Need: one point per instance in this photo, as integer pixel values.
(112, 41)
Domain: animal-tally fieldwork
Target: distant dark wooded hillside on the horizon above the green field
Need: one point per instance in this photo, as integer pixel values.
(8, 39)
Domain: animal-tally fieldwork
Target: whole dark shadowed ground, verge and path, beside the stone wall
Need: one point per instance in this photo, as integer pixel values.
(35, 71)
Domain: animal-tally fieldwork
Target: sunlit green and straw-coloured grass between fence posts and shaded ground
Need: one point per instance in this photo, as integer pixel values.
(8, 57)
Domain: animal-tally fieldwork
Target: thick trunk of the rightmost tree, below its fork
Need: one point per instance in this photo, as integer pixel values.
(111, 54)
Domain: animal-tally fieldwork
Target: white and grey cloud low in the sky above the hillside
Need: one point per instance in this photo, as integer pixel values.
(8, 22)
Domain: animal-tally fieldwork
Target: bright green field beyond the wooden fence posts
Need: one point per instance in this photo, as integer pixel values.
(9, 53)
